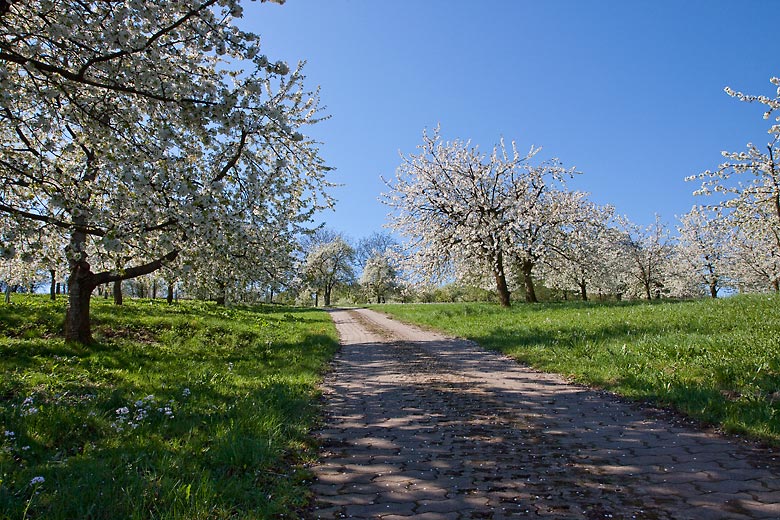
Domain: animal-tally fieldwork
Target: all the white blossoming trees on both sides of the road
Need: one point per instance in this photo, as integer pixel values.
(144, 139)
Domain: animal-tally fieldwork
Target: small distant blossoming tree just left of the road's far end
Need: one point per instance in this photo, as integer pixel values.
(328, 265)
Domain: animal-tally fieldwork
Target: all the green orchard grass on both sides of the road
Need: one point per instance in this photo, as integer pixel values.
(202, 411)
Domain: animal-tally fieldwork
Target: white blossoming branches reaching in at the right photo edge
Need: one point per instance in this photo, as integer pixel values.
(747, 184)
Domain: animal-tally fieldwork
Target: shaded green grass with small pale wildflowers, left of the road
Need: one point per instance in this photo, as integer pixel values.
(187, 411)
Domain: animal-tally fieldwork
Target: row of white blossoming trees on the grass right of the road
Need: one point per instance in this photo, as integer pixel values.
(507, 219)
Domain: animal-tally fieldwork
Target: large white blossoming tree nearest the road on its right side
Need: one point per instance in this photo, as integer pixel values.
(457, 206)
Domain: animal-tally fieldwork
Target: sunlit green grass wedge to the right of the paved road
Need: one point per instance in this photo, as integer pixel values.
(717, 361)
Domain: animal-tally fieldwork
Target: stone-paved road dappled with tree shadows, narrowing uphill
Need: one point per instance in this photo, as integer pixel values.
(423, 426)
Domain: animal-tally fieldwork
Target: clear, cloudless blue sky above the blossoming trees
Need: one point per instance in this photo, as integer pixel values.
(629, 92)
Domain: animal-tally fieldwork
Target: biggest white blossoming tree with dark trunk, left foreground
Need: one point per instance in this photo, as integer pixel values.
(134, 127)
